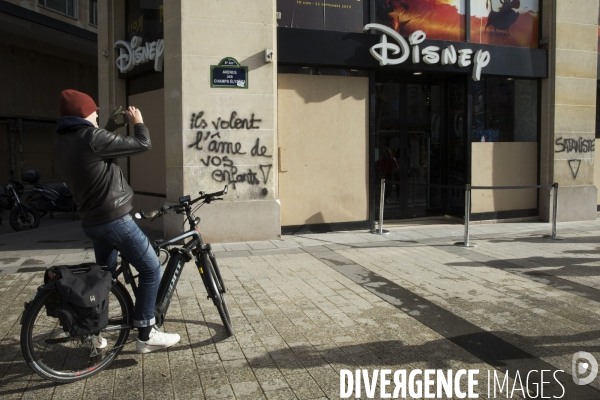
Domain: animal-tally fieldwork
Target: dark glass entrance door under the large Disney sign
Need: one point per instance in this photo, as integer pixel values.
(420, 143)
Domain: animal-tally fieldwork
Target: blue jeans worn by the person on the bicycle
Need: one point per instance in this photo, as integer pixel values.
(124, 236)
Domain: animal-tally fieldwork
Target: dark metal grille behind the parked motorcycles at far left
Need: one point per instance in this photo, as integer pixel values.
(27, 144)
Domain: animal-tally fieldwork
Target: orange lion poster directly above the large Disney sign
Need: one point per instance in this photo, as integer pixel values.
(439, 19)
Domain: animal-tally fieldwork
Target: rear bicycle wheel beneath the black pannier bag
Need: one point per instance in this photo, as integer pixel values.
(56, 356)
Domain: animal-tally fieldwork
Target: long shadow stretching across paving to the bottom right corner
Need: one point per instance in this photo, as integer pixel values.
(438, 354)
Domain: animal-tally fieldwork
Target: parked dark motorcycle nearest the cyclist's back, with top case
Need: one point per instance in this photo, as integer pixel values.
(46, 199)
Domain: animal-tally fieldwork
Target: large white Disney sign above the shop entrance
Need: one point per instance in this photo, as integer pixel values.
(429, 54)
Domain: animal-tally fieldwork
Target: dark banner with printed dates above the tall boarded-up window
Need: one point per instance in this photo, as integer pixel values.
(330, 15)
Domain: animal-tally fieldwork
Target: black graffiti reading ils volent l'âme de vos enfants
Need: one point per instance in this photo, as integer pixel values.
(225, 156)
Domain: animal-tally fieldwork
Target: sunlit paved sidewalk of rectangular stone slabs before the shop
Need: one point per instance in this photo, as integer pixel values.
(307, 306)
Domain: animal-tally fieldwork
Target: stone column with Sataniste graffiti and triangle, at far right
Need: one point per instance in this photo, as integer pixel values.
(569, 108)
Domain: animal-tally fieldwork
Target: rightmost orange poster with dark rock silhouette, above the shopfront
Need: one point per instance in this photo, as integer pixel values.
(505, 22)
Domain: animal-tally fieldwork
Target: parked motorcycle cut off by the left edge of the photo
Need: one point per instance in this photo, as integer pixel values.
(22, 217)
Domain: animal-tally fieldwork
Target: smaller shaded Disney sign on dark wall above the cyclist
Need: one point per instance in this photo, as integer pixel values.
(133, 54)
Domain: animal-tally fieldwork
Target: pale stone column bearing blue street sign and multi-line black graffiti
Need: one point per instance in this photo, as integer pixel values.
(219, 136)
